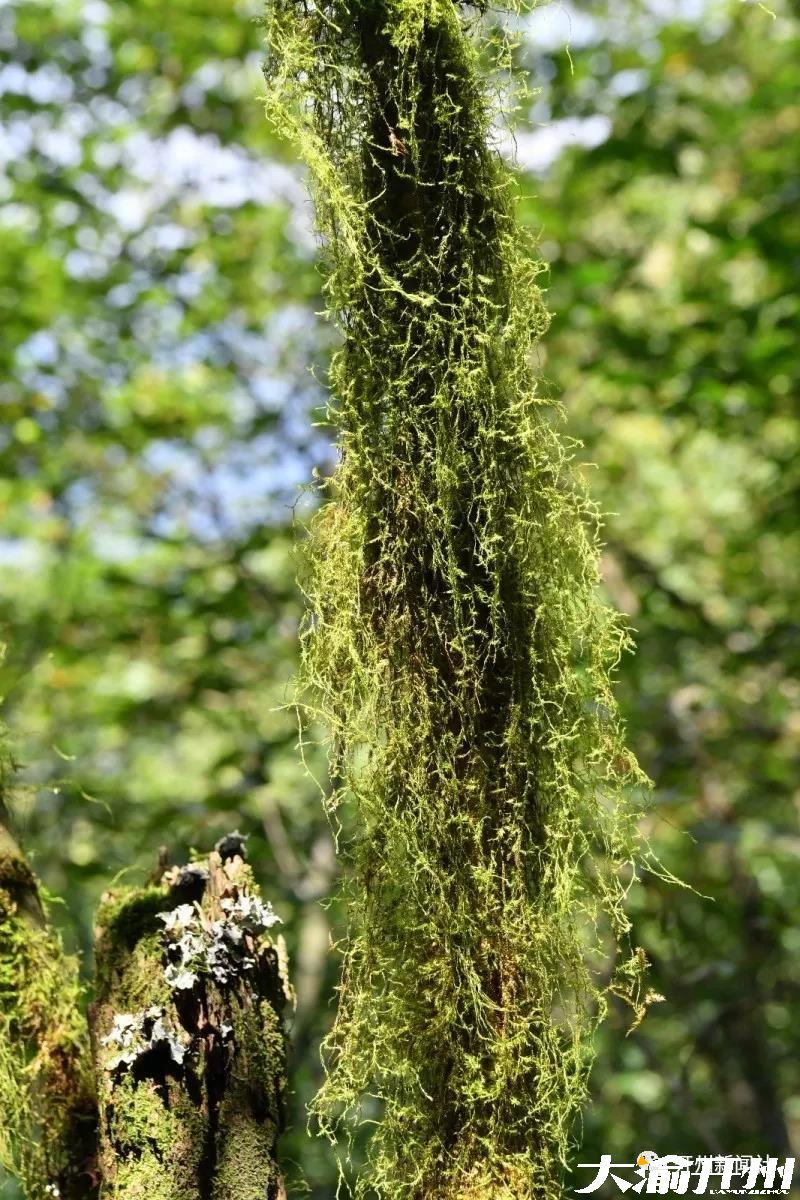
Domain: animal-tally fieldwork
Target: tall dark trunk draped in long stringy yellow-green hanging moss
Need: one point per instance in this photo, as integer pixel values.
(456, 645)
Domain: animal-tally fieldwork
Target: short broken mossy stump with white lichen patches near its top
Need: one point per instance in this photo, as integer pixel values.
(188, 1036)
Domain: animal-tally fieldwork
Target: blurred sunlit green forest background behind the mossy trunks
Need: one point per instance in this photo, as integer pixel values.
(163, 365)
